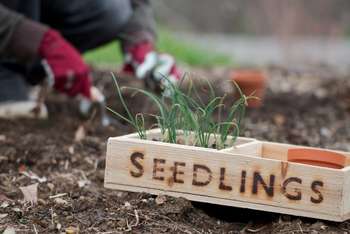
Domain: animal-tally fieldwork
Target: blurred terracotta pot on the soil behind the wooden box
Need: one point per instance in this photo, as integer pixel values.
(251, 82)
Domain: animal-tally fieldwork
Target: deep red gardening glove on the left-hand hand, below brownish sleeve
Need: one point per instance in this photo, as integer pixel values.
(70, 73)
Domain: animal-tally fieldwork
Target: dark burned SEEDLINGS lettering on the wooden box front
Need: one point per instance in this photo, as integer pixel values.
(253, 183)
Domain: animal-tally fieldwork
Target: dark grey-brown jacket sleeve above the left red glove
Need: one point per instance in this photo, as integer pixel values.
(19, 37)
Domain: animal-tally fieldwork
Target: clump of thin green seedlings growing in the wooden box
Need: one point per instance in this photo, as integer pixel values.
(186, 114)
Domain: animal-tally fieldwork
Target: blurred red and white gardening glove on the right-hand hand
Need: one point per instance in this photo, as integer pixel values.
(157, 70)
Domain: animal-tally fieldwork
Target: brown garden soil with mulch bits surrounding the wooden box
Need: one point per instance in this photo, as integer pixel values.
(308, 107)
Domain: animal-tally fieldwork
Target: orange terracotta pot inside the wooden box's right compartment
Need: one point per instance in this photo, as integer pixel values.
(322, 158)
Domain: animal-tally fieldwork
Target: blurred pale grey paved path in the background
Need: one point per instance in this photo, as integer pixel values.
(268, 50)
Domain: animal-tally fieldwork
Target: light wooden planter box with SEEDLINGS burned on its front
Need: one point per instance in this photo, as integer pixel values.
(251, 174)
